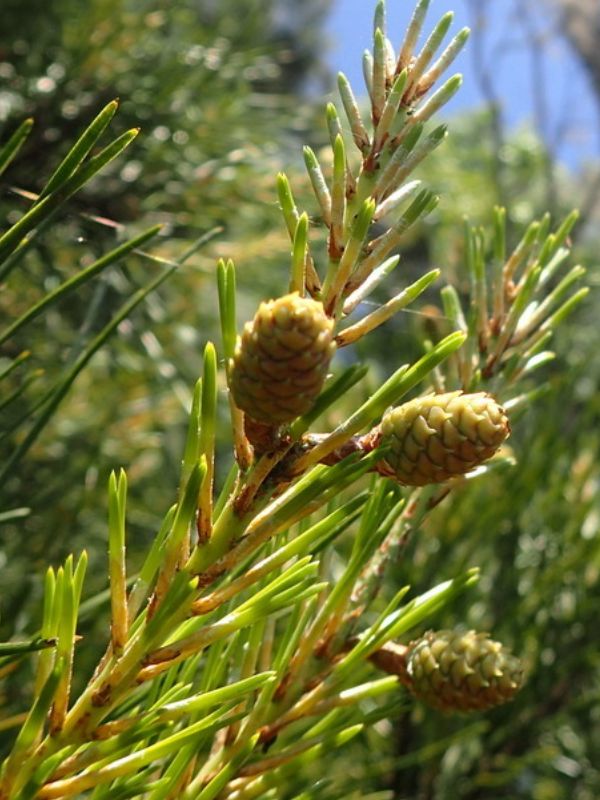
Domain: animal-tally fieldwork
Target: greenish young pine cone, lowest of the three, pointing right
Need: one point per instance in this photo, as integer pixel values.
(454, 671)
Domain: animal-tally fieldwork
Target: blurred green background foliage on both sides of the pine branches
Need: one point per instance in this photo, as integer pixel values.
(224, 100)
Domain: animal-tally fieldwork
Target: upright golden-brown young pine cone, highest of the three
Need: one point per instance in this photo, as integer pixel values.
(282, 359)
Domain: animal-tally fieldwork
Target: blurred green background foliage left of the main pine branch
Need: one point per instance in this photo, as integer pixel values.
(216, 95)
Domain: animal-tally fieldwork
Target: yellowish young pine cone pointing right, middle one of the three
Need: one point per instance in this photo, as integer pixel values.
(436, 437)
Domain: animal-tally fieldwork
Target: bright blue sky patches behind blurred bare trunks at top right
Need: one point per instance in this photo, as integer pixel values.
(571, 112)
